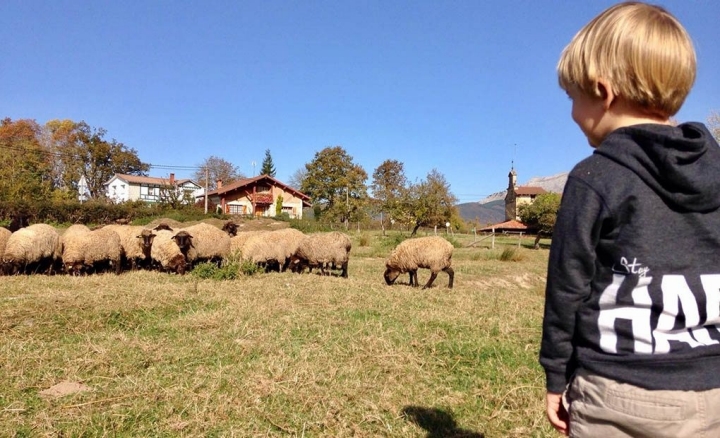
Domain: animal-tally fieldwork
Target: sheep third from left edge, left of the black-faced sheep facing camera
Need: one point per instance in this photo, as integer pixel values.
(86, 251)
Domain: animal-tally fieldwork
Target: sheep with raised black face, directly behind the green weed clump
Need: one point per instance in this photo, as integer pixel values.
(209, 243)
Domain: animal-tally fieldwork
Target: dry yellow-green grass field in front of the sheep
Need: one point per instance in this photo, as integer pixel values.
(151, 354)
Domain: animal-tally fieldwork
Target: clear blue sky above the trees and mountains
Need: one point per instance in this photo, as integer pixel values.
(465, 87)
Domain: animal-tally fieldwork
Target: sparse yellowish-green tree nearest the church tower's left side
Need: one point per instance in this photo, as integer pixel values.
(430, 202)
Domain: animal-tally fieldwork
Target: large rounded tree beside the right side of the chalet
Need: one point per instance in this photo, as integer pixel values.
(336, 186)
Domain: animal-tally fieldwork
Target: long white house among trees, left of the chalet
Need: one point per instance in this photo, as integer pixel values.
(121, 188)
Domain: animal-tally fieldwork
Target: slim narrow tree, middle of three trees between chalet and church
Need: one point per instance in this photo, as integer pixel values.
(389, 187)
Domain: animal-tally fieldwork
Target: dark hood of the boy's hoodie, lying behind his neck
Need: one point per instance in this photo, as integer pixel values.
(681, 163)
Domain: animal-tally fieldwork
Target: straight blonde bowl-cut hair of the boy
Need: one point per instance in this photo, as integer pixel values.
(640, 50)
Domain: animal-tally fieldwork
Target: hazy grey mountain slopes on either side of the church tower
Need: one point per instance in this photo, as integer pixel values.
(491, 210)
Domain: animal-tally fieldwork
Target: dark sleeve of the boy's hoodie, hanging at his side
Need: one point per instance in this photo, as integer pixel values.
(571, 268)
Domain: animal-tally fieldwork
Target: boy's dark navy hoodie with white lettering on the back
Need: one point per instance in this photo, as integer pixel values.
(633, 286)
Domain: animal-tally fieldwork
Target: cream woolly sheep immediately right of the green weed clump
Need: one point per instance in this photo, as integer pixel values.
(273, 248)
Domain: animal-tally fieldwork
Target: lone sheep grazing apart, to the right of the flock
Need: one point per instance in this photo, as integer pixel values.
(433, 252)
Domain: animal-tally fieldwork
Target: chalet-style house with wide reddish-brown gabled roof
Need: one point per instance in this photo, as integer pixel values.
(258, 196)
